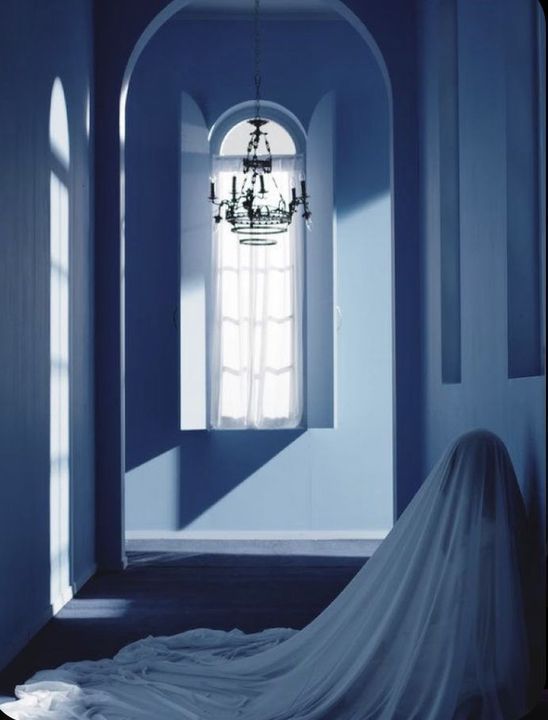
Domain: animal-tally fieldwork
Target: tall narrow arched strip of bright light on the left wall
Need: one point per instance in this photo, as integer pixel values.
(59, 351)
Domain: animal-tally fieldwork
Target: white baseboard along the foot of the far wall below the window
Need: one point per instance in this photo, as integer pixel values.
(255, 535)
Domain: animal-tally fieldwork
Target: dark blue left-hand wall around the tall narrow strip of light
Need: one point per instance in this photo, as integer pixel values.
(39, 42)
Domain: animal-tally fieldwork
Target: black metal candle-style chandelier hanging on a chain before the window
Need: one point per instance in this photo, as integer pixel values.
(257, 210)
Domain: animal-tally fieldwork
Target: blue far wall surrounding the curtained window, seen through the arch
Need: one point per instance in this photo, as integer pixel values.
(338, 479)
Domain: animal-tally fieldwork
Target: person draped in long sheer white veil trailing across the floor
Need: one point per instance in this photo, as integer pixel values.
(442, 623)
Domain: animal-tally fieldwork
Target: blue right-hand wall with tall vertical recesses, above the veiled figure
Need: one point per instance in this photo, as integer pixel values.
(491, 52)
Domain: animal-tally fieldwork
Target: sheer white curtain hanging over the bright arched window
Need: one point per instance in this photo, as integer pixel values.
(256, 350)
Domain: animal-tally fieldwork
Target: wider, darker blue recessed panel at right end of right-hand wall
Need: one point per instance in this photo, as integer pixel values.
(523, 197)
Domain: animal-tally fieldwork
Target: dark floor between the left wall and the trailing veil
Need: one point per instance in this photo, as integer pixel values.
(166, 593)
